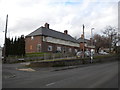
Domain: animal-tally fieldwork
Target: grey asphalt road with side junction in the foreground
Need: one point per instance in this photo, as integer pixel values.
(103, 75)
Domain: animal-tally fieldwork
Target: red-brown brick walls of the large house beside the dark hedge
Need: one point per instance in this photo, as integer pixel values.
(31, 45)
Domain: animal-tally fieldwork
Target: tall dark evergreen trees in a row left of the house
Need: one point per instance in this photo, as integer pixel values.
(15, 47)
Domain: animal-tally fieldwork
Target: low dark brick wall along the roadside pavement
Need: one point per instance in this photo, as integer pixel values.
(70, 62)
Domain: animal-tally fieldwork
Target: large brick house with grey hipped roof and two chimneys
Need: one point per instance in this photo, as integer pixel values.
(45, 39)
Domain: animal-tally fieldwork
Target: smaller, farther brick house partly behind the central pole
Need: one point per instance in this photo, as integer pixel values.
(86, 44)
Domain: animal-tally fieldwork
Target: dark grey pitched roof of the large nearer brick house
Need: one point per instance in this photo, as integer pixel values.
(52, 33)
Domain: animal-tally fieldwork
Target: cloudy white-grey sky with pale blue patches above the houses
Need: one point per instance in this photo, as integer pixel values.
(25, 16)
